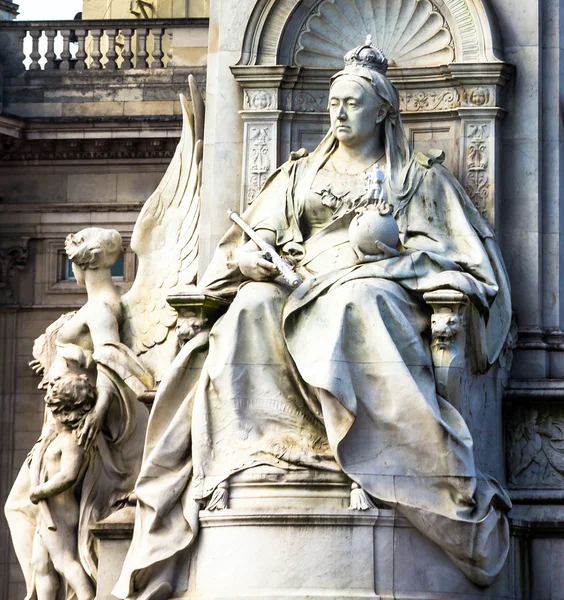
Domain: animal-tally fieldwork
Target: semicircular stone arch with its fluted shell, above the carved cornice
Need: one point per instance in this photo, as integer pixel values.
(317, 33)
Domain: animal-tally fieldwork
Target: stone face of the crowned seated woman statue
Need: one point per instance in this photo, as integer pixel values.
(354, 113)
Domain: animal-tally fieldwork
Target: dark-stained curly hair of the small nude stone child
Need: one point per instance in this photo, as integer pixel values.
(71, 398)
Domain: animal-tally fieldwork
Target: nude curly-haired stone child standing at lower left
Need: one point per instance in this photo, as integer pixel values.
(57, 467)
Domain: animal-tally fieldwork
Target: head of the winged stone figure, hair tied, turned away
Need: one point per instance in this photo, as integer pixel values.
(93, 248)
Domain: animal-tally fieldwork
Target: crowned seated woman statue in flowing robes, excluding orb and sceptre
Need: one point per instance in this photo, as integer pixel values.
(336, 374)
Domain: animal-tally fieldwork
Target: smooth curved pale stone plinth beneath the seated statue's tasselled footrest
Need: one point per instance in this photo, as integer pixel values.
(333, 553)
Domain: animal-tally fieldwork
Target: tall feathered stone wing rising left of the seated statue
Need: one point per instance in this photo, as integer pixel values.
(165, 239)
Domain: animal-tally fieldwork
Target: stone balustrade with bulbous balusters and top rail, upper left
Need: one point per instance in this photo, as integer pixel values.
(95, 45)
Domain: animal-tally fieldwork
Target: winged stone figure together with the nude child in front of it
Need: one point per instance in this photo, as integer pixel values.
(95, 364)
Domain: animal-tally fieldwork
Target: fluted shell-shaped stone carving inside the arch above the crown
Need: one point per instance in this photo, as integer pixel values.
(409, 32)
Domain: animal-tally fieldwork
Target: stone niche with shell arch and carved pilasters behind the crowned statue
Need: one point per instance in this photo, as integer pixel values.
(445, 59)
